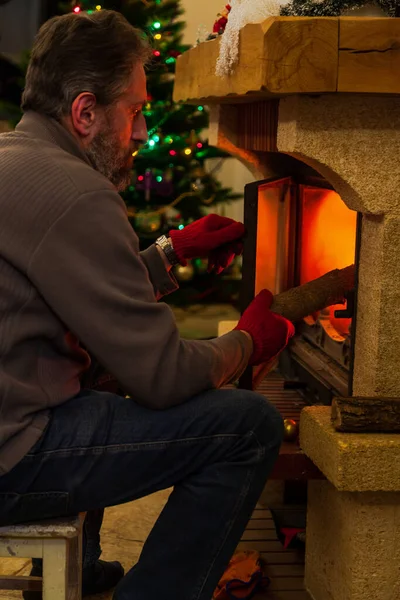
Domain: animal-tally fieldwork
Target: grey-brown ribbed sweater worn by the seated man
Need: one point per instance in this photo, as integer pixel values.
(71, 273)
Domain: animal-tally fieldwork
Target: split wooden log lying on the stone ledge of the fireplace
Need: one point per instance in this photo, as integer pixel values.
(366, 415)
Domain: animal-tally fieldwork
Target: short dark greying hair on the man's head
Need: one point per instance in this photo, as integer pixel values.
(82, 52)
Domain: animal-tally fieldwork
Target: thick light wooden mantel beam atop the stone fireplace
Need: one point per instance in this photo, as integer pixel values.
(296, 55)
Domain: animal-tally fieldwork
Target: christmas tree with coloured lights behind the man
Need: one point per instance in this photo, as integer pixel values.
(170, 186)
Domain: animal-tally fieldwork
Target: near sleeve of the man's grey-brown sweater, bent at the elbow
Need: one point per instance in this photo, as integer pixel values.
(89, 271)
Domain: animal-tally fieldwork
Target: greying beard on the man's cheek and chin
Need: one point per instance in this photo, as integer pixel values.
(107, 158)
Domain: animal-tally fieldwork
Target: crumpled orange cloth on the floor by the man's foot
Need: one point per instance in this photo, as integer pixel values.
(242, 578)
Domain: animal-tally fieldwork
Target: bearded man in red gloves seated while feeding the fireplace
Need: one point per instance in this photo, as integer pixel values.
(73, 283)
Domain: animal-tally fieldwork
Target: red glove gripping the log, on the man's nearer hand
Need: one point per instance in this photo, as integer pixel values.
(270, 332)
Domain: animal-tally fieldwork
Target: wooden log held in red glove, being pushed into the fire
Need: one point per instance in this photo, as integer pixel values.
(301, 301)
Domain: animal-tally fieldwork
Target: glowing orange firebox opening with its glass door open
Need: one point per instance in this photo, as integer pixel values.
(299, 228)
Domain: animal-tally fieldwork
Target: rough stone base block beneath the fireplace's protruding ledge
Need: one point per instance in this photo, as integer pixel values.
(353, 544)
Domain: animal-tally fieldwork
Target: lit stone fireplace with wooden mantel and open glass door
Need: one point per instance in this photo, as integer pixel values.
(313, 109)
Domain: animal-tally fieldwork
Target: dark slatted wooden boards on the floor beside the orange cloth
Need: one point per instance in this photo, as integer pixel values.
(285, 568)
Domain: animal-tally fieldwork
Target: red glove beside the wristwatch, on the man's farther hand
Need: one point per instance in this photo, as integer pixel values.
(213, 237)
